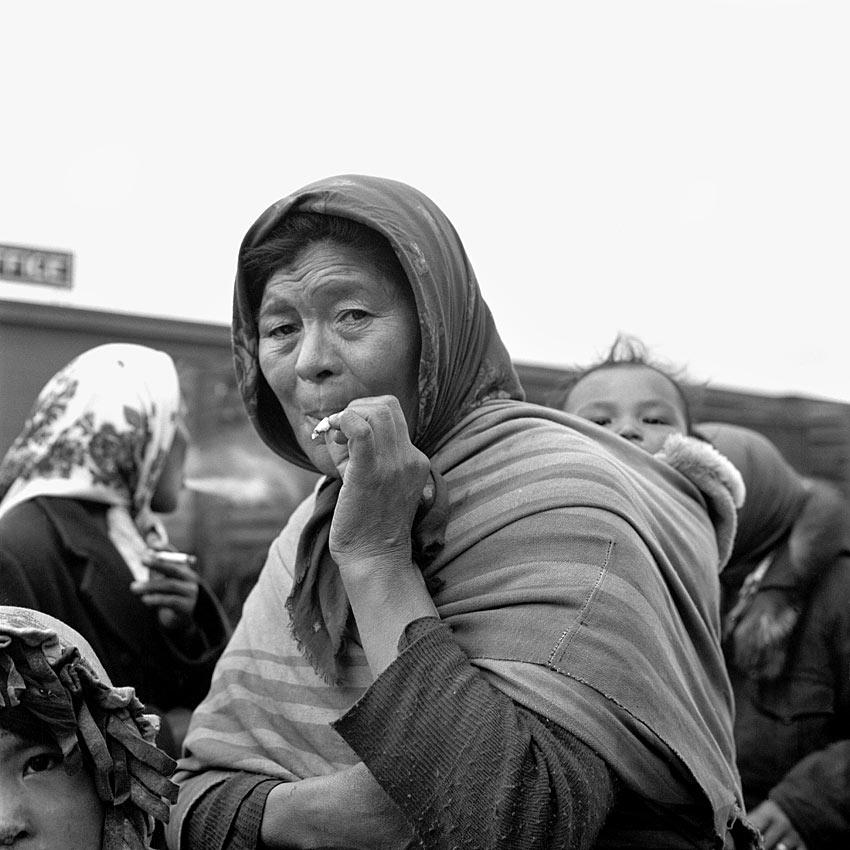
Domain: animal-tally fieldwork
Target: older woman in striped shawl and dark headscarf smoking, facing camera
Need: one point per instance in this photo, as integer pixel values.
(485, 627)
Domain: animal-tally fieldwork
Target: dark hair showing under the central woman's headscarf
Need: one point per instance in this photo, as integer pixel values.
(295, 232)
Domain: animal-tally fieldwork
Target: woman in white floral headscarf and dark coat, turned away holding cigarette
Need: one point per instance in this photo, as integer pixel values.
(104, 448)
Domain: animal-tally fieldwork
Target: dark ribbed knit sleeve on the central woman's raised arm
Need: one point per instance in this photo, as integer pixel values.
(466, 764)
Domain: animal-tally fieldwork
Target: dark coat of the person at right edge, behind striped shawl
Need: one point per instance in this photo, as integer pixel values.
(793, 733)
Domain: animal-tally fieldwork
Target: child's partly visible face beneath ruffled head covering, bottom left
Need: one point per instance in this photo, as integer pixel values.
(40, 804)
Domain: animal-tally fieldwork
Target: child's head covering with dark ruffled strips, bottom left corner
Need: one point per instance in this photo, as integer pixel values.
(51, 679)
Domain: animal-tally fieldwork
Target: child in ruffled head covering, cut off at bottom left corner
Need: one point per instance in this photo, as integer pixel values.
(79, 769)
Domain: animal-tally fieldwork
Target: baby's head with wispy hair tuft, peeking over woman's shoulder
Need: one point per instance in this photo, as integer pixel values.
(629, 394)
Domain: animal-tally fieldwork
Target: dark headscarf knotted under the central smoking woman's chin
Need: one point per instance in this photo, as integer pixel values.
(463, 362)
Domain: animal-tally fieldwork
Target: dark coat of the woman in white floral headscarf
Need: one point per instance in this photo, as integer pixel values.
(56, 557)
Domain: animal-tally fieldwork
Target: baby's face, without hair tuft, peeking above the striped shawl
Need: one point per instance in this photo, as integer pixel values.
(636, 402)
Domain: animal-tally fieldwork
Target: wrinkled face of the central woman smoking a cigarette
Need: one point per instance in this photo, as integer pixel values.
(332, 328)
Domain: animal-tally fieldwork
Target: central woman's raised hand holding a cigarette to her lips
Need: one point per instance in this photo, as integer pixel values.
(383, 474)
